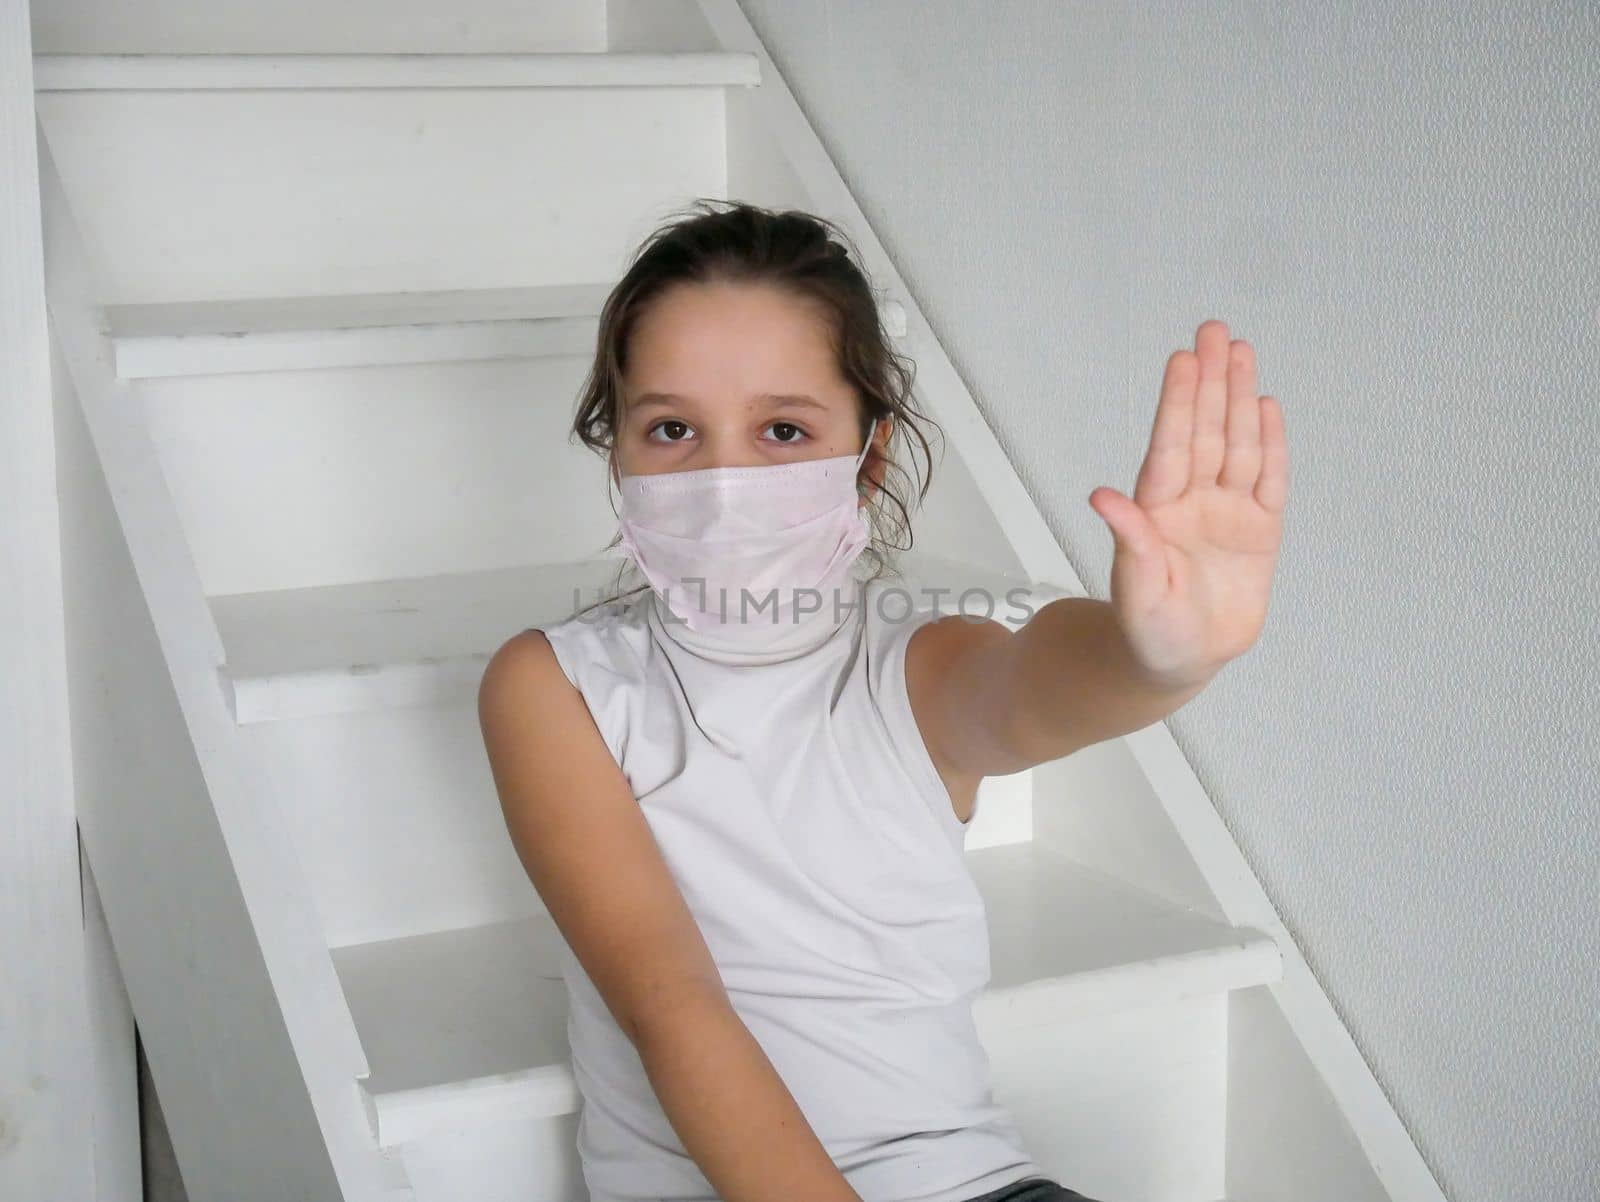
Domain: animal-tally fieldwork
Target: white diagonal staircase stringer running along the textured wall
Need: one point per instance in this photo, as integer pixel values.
(1228, 875)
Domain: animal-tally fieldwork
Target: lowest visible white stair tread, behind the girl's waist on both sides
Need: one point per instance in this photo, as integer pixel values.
(470, 1027)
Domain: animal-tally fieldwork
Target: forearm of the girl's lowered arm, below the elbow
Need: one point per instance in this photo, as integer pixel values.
(732, 1112)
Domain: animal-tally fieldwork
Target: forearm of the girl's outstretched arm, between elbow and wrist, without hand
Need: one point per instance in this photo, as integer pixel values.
(1073, 681)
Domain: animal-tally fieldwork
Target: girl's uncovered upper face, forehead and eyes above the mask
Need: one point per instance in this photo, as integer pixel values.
(732, 375)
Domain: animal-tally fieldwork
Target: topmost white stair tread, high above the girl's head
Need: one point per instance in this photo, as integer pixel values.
(230, 73)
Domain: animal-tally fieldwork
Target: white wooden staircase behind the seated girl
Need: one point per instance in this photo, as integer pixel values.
(321, 302)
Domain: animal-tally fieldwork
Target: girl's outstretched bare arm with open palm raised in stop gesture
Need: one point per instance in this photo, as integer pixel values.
(1196, 553)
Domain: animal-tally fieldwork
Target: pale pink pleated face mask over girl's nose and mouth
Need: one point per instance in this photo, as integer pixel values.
(743, 547)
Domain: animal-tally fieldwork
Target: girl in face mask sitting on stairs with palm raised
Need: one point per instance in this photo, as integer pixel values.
(742, 790)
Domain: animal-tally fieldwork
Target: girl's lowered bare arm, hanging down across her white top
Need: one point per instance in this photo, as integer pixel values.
(593, 859)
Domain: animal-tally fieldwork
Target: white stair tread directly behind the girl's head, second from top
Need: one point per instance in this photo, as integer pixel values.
(289, 334)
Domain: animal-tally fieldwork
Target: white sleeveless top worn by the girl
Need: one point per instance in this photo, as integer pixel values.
(817, 847)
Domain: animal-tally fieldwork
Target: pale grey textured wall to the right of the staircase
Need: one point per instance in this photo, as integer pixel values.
(1396, 206)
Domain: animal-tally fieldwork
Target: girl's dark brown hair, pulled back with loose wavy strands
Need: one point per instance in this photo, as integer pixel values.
(804, 255)
